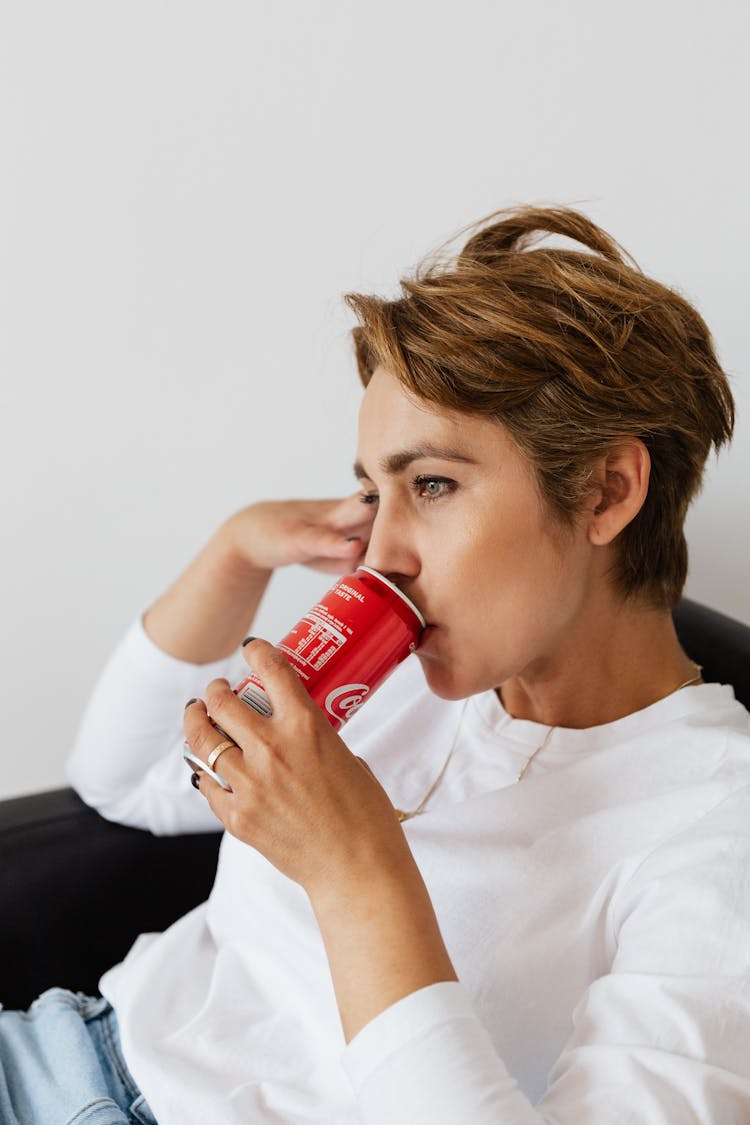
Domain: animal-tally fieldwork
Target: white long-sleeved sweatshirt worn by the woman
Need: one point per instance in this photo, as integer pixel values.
(598, 915)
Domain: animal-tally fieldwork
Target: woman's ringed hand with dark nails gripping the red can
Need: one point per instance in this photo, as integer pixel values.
(297, 794)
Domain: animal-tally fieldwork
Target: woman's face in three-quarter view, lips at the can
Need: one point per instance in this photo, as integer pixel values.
(462, 529)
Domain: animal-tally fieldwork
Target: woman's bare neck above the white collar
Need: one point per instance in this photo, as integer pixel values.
(610, 664)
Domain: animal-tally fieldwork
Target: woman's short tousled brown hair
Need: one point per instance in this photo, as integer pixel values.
(572, 352)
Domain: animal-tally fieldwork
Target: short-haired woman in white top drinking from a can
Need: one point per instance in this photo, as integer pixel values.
(523, 898)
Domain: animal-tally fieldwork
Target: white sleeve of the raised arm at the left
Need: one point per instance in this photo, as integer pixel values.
(128, 757)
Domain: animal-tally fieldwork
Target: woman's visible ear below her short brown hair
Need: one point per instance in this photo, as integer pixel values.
(621, 484)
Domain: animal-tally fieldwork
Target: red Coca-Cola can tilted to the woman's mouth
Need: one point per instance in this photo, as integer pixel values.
(347, 646)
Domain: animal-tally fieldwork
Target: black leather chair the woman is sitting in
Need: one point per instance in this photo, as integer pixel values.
(76, 890)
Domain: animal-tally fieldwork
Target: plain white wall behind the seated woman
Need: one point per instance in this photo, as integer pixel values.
(188, 188)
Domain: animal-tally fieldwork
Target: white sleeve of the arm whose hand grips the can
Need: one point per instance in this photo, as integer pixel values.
(663, 1038)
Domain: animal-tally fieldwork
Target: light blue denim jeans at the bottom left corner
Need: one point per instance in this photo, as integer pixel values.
(61, 1064)
